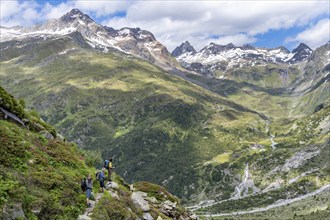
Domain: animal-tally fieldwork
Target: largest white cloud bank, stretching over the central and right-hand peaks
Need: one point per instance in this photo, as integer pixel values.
(201, 21)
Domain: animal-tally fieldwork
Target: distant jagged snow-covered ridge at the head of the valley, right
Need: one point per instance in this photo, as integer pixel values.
(223, 58)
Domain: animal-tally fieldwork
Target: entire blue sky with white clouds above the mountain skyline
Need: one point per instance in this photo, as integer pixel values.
(260, 23)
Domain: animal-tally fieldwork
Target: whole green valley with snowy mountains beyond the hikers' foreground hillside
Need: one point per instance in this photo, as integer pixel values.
(231, 138)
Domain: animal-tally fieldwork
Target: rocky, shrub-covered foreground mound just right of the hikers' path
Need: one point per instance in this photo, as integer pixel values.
(142, 200)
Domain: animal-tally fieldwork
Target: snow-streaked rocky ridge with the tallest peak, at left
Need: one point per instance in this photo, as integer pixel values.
(133, 41)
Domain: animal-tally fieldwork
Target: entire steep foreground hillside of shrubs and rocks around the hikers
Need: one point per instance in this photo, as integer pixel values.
(40, 176)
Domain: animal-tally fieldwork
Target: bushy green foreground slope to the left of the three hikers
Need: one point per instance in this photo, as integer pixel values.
(38, 173)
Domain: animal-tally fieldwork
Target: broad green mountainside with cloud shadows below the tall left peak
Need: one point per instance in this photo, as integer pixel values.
(158, 126)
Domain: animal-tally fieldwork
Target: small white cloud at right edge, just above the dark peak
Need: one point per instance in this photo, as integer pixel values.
(314, 36)
